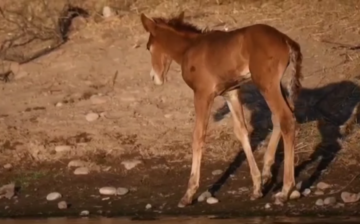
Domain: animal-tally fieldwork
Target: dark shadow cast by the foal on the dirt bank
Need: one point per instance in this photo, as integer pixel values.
(333, 107)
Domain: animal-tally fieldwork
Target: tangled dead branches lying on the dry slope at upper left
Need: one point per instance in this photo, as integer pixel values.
(29, 33)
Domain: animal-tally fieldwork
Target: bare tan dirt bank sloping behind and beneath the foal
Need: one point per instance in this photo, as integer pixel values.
(45, 105)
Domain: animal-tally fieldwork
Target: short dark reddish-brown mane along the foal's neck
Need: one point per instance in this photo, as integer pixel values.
(179, 25)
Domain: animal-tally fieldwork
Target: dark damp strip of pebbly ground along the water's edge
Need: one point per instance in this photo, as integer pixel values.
(160, 186)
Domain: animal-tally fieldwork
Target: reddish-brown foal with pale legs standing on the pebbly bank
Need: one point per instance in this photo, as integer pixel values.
(216, 63)
